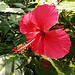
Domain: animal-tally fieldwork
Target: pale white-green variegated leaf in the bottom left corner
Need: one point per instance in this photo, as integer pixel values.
(8, 65)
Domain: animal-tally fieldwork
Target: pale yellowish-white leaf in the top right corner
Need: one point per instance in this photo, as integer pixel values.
(70, 6)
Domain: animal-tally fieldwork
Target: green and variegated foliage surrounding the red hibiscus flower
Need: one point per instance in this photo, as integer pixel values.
(30, 63)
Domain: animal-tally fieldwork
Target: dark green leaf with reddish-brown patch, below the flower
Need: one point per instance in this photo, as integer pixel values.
(44, 67)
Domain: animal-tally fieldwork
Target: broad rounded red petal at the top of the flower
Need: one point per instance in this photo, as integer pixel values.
(45, 16)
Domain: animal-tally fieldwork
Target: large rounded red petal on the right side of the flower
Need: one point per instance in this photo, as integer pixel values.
(56, 44)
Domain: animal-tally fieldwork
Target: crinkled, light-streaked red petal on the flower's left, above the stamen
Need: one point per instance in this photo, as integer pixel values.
(26, 26)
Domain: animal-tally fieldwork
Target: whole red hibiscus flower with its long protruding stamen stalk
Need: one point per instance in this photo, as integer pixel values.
(35, 25)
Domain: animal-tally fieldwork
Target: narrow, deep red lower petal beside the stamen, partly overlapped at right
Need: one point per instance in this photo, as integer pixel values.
(38, 45)
